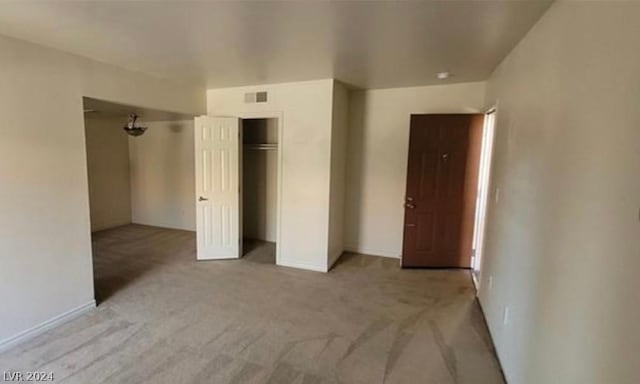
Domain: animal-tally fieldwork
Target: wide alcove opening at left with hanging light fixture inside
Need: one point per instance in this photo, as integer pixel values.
(140, 188)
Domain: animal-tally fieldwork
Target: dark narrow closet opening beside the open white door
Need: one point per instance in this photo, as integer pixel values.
(259, 189)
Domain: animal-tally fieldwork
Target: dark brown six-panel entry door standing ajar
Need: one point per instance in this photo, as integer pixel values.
(435, 199)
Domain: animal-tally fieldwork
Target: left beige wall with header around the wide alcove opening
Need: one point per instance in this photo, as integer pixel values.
(46, 272)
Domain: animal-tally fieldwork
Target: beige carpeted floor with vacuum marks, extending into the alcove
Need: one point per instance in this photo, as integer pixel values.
(162, 317)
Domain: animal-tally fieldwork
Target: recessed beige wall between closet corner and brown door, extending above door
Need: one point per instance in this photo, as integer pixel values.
(378, 146)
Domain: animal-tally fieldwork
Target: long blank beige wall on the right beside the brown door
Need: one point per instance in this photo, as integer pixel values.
(563, 244)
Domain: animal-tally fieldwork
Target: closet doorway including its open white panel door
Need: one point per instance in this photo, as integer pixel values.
(222, 146)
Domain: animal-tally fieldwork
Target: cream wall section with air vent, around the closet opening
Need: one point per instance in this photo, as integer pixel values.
(305, 108)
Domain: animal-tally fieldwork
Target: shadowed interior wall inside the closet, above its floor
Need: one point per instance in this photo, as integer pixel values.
(260, 181)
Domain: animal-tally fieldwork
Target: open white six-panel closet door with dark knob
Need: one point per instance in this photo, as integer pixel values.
(217, 147)
